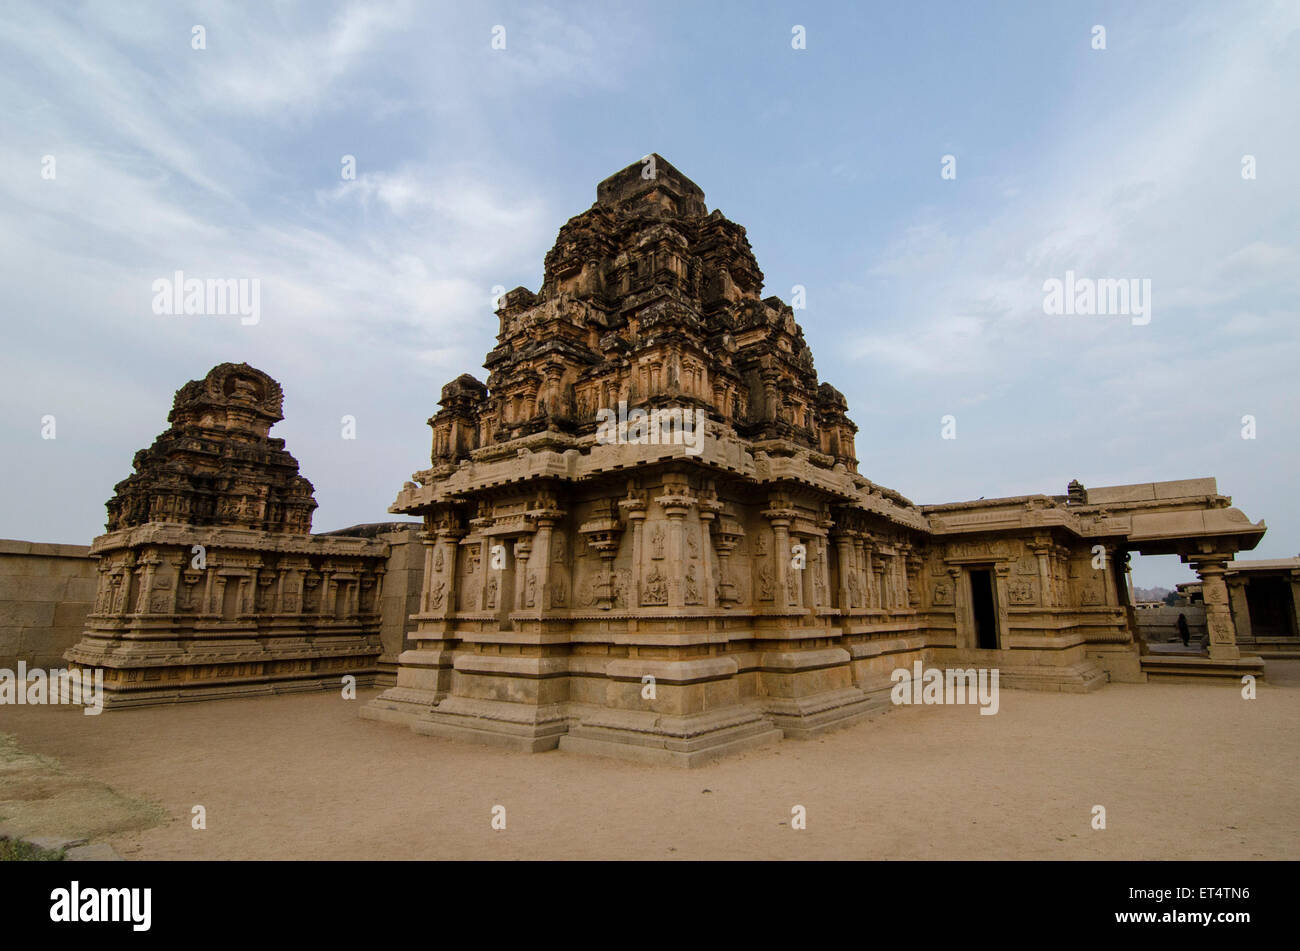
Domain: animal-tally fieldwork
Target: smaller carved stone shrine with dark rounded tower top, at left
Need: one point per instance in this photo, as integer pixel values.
(210, 580)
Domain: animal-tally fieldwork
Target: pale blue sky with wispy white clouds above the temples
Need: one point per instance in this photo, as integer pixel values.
(135, 146)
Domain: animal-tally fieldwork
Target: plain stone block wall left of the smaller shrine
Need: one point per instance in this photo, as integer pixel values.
(46, 592)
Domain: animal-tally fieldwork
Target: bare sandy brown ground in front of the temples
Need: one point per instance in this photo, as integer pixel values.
(1184, 772)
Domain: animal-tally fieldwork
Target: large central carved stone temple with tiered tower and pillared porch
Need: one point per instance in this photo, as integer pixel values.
(671, 601)
